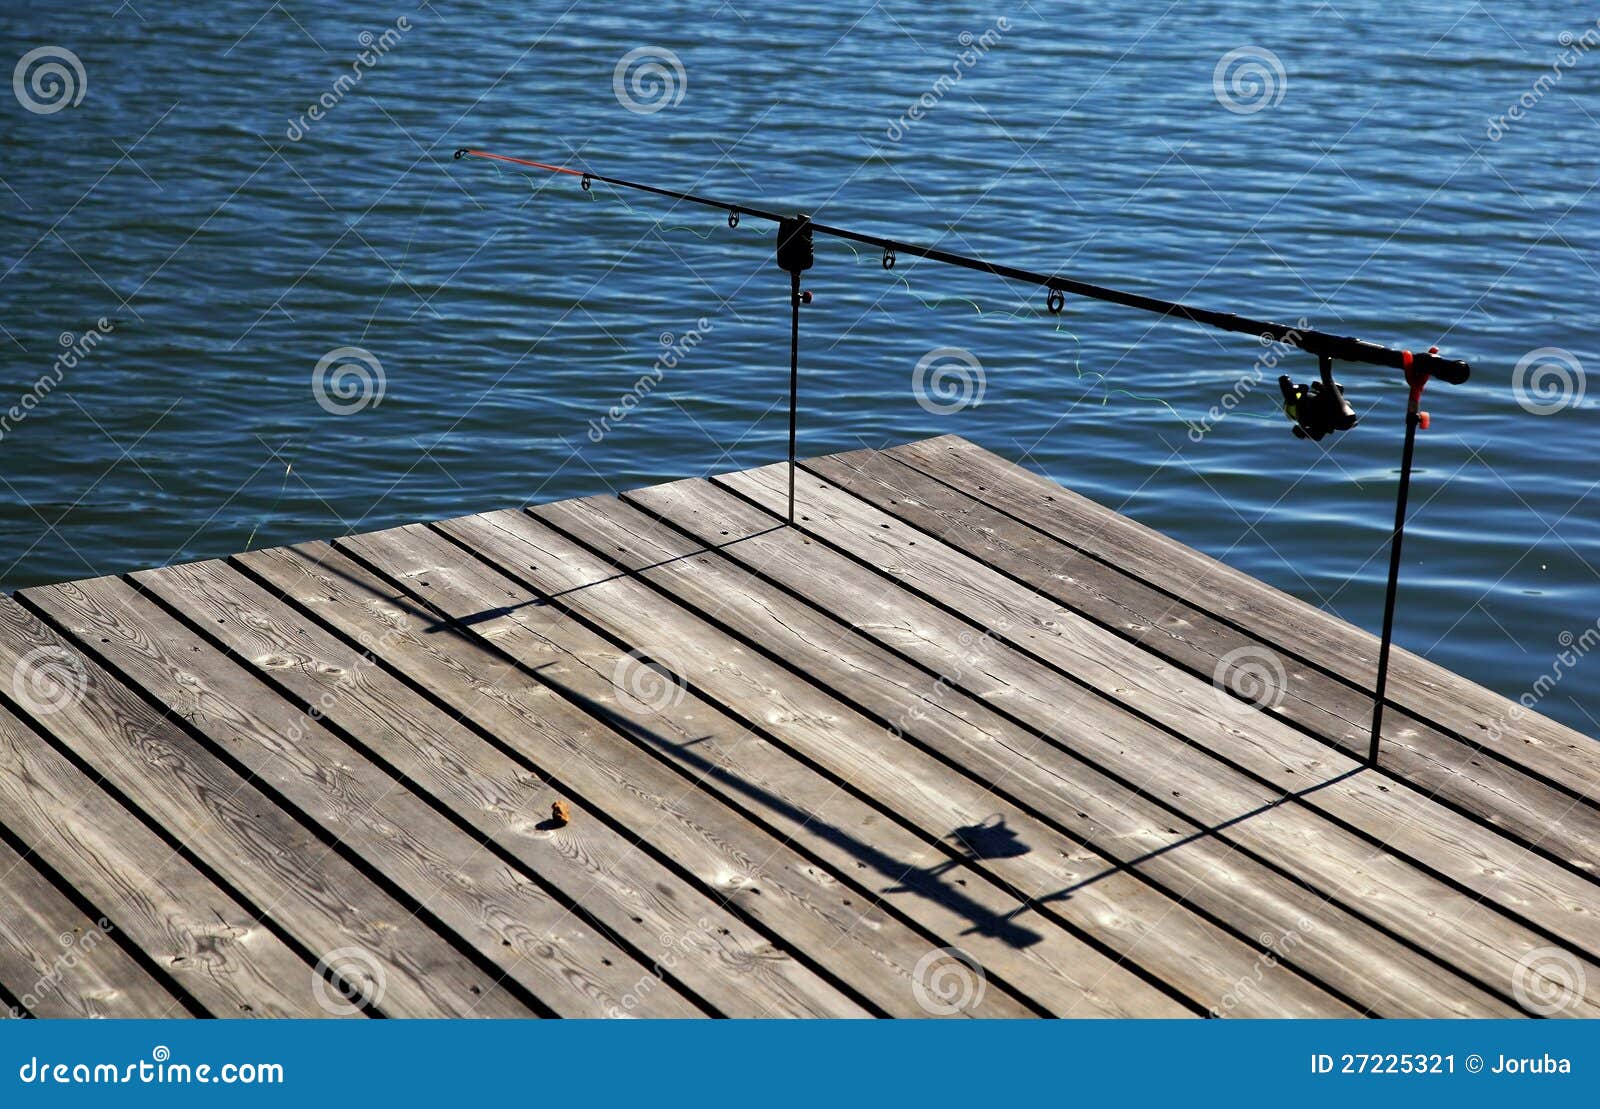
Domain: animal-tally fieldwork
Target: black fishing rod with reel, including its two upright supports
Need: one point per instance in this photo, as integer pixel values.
(1316, 410)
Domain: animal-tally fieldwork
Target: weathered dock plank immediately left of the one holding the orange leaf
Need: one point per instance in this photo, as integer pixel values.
(513, 924)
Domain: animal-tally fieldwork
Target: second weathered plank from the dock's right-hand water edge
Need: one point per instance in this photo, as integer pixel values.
(1415, 755)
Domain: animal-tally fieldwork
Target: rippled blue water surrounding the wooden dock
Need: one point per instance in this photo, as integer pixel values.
(231, 246)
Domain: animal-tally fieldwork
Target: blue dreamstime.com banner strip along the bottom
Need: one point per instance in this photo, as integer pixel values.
(572, 1065)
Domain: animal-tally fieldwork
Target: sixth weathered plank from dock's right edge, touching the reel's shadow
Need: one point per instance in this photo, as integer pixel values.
(1122, 911)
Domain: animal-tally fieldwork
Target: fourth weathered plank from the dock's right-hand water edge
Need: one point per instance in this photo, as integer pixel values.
(1457, 927)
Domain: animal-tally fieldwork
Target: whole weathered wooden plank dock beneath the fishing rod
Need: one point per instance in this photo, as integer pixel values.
(961, 743)
